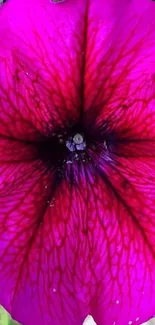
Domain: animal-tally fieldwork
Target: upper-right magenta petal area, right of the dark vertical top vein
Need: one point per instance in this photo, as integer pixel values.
(120, 67)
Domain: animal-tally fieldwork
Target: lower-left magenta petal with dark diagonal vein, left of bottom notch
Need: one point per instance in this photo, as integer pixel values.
(39, 268)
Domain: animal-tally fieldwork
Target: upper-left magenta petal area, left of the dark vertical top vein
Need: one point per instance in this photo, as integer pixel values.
(40, 83)
